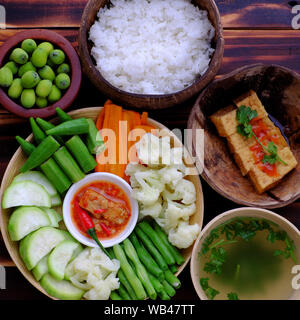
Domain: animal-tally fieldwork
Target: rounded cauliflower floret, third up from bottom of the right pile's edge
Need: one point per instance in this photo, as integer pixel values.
(184, 191)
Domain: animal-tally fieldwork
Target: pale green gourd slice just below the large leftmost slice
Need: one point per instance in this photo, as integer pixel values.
(25, 220)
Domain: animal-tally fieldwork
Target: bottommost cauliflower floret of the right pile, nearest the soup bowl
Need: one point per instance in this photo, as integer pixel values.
(184, 235)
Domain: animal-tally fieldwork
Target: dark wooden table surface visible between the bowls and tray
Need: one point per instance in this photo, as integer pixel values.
(255, 31)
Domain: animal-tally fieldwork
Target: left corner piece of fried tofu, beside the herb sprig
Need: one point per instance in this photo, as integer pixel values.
(225, 121)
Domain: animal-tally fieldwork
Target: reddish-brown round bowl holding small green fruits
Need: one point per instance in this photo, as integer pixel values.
(71, 56)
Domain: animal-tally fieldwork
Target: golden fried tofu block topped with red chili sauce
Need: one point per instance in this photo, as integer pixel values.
(249, 159)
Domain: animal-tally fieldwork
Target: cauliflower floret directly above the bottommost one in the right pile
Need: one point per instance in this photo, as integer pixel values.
(173, 213)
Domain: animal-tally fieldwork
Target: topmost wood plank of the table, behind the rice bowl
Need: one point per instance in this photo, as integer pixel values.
(66, 14)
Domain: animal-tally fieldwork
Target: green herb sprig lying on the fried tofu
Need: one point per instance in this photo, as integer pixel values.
(244, 115)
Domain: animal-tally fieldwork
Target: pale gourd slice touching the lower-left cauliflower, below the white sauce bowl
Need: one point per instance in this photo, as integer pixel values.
(60, 257)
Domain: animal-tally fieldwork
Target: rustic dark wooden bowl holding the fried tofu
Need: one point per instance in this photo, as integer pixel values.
(279, 90)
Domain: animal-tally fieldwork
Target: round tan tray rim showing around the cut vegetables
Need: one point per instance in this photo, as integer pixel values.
(18, 160)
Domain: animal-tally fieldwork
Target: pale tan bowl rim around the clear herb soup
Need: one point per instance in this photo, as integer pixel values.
(282, 223)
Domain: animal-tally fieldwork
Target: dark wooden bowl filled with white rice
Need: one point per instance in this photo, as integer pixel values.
(131, 72)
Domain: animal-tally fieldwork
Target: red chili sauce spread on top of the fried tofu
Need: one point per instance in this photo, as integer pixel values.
(264, 135)
